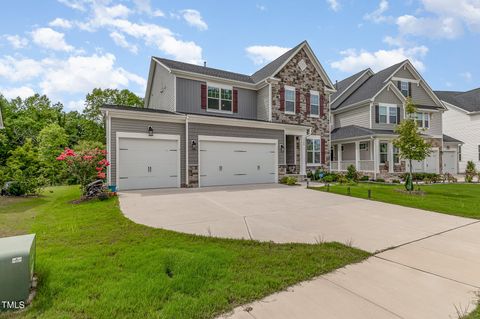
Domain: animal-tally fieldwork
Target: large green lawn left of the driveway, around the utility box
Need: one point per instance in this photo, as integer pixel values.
(92, 262)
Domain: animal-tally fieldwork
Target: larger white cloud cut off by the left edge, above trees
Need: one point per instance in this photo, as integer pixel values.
(19, 69)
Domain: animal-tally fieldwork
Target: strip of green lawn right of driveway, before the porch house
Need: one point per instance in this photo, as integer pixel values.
(453, 199)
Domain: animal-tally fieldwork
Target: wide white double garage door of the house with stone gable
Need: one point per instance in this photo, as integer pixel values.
(235, 163)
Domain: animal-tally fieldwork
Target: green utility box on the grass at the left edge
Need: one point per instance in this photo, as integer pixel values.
(17, 263)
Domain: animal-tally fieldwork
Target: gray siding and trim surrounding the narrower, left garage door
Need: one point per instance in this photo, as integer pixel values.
(141, 126)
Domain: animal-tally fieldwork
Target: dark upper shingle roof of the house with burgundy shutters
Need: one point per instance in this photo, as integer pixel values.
(267, 71)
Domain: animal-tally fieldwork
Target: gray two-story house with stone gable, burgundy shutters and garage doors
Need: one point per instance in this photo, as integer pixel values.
(204, 127)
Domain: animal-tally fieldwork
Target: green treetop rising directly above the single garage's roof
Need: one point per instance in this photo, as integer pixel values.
(99, 97)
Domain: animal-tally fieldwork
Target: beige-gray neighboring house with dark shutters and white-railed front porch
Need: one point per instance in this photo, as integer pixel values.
(365, 111)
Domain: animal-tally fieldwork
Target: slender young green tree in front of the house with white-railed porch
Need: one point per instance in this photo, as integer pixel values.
(411, 144)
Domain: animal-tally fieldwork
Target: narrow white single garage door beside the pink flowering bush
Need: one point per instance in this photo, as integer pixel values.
(148, 163)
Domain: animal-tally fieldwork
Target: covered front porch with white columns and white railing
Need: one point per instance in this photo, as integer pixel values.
(371, 156)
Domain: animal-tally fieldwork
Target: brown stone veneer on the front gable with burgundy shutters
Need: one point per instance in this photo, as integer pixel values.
(306, 80)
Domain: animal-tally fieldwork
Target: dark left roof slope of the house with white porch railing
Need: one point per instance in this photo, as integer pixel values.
(369, 88)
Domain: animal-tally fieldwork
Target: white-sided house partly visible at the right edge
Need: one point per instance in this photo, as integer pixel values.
(462, 121)
